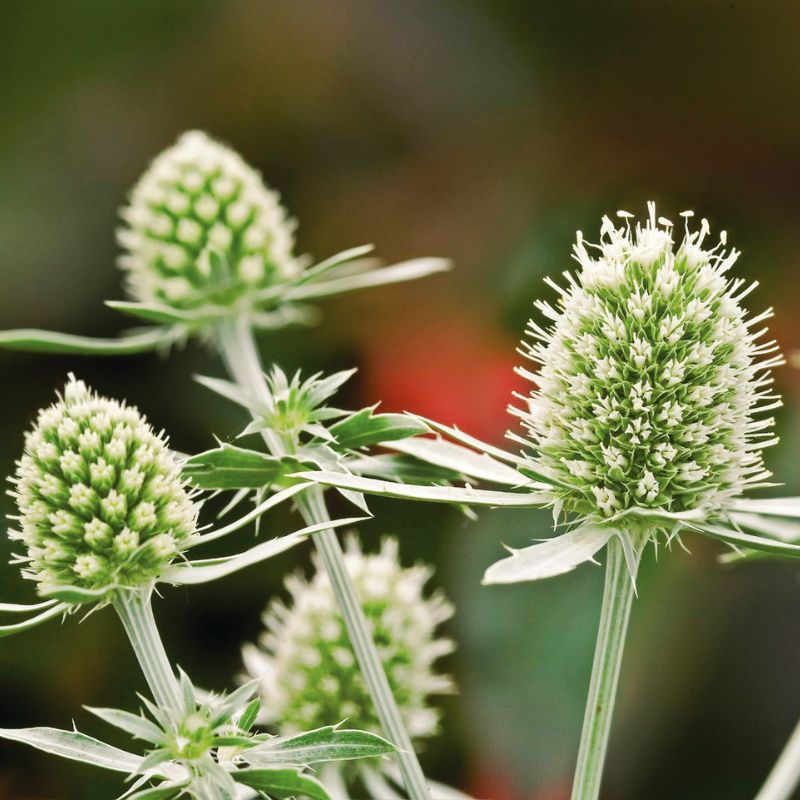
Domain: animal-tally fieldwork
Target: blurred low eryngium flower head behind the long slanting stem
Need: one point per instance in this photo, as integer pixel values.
(306, 663)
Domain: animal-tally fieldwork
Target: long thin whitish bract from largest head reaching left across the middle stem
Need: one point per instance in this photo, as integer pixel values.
(434, 494)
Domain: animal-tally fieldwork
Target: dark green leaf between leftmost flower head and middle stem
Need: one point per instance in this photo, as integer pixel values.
(230, 467)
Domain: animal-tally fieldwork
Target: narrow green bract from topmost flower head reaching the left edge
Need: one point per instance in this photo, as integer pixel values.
(36, 341)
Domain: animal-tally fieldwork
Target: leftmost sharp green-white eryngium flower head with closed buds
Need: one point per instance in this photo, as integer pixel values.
(101, 501)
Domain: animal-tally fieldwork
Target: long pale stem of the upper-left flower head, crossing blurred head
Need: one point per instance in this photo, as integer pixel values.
(241, 357)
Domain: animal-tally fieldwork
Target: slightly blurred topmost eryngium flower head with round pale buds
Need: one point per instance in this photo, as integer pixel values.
(199, 196)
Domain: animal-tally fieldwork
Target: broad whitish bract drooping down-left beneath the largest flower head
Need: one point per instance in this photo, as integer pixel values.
(553, 557)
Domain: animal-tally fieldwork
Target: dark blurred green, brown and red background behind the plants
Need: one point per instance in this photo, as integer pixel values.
(486, 131)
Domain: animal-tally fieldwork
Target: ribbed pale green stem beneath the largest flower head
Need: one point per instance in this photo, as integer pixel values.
(617, 597)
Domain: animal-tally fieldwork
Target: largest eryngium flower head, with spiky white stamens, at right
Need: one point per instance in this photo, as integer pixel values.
(649, 383)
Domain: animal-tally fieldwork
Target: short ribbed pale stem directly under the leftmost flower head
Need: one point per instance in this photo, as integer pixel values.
(136, 613)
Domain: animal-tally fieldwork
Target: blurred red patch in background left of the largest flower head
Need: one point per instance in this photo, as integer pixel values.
(455, 371)
